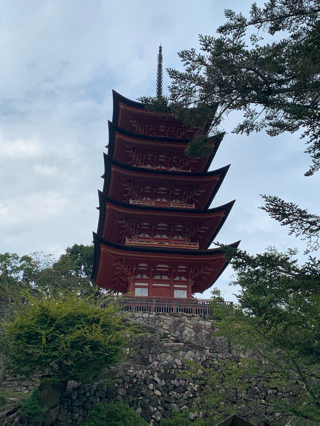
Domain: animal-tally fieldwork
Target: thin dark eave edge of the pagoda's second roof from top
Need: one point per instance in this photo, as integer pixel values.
(157, 139)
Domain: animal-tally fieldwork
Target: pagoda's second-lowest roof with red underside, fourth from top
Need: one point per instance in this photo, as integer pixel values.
(204, 225)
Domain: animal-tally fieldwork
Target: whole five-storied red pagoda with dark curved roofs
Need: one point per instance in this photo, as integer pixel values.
(155, 224)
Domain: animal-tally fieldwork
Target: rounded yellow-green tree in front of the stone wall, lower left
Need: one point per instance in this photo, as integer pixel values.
(65, 338)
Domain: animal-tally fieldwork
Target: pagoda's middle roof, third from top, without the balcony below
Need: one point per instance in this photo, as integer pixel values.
(201, 188)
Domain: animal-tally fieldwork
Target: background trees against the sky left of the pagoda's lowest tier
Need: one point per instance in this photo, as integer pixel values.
(38, 272)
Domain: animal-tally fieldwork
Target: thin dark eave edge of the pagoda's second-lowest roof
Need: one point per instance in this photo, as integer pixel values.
(136, 209)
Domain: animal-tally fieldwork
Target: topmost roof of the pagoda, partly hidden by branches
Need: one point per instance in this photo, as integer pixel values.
(132, 116)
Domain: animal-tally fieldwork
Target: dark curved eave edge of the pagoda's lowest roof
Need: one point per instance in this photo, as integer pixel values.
(152, 251)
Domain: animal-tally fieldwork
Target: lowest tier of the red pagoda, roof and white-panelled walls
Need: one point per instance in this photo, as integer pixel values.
(122, 268)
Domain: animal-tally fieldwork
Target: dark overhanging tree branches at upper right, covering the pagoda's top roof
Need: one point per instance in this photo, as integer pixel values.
(273, 79)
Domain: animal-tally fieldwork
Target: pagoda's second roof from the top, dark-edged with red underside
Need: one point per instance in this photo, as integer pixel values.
(122, 141)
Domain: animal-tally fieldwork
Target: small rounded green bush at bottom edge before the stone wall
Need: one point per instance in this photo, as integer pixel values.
(114, 414)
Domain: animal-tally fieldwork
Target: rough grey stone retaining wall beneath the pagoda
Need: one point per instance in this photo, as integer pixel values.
(154, 378)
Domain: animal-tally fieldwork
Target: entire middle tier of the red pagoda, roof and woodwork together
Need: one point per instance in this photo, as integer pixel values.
(136, 185)
